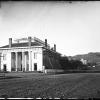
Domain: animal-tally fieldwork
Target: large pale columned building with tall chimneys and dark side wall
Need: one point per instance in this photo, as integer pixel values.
(28, 54)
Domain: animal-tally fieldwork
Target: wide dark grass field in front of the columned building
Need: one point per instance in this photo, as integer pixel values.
(39, 85)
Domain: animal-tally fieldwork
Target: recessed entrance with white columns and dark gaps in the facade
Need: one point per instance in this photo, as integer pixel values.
(20, 61)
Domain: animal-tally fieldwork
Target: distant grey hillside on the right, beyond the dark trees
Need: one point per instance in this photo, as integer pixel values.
(92, 57)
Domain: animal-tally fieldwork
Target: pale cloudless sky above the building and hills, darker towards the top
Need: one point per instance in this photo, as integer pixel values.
(73, 27)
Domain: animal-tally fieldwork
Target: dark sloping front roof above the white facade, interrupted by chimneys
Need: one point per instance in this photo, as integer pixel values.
(24, 44)
